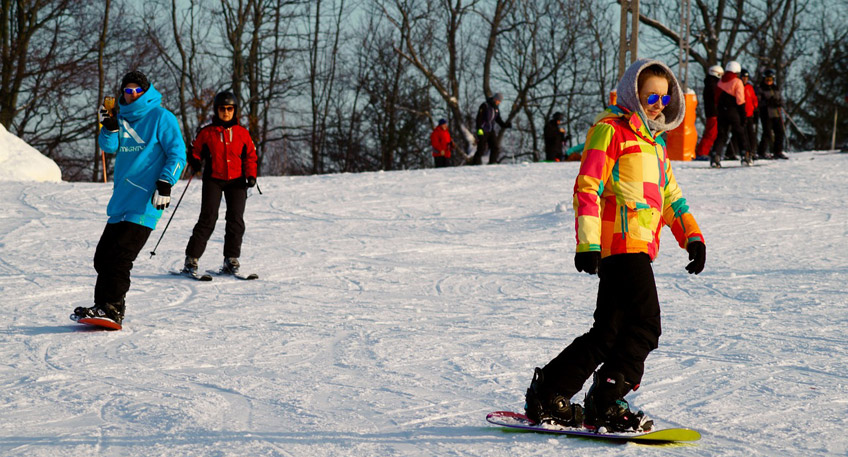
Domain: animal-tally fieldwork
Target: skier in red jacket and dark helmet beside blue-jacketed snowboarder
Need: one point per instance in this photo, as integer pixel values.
(230, 168)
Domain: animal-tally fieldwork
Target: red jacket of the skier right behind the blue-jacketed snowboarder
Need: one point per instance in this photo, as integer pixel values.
(230, 151)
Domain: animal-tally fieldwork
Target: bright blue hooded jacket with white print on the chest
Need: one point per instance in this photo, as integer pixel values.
(148, 146)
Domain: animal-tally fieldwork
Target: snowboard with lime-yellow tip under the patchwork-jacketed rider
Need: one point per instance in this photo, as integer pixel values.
(519, 421)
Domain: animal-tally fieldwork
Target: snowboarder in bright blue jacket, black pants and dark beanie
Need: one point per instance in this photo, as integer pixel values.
(150, 156)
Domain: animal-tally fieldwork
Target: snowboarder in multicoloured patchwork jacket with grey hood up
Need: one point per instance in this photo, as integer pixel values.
(624, 194)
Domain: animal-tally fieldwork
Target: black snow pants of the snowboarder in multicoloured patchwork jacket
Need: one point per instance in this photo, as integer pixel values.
(626, 328)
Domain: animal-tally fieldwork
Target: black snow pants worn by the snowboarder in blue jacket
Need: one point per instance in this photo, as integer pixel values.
(116, 251)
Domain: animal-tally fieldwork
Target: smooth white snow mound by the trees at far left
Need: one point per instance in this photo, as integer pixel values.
(21, 162)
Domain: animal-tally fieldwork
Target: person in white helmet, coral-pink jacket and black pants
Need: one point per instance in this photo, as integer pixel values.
(731, 116)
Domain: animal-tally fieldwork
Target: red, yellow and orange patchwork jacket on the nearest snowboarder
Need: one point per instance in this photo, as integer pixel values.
(625, 191)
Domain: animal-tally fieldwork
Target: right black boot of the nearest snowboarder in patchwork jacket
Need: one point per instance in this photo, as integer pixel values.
(608, 411)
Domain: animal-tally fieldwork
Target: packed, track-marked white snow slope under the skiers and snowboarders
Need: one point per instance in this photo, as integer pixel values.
(394, 310)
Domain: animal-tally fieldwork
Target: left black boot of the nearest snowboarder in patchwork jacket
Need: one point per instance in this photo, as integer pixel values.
(544, 406)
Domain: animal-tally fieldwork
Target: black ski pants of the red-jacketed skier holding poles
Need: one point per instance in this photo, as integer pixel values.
(235, 193)
